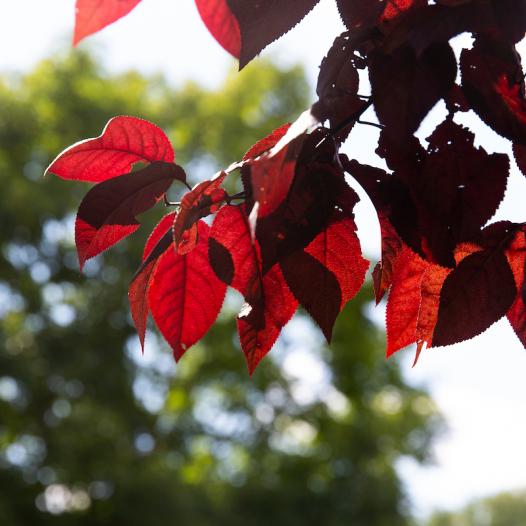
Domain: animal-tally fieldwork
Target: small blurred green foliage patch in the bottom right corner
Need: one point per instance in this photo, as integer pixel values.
(505, 509)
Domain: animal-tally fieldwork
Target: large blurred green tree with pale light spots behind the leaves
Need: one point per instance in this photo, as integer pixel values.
(91, 432)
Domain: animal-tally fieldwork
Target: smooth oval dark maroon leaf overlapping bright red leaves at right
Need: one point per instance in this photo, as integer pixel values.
(475, 295)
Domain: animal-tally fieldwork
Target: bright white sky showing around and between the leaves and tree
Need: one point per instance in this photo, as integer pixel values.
(479, 385)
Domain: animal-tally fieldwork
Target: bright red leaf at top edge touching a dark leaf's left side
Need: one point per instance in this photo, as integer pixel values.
(221, 23)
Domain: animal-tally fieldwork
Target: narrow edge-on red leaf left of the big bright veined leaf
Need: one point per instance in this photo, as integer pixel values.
(159, 241)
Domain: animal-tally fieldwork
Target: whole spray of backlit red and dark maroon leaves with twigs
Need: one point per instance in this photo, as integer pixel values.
(289, 237)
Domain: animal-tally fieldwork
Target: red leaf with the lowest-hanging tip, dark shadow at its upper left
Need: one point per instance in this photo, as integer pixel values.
(279, 307)
